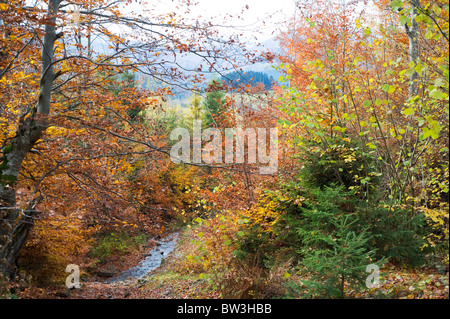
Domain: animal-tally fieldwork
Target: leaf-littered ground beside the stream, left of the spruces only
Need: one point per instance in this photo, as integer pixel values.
(165, 282)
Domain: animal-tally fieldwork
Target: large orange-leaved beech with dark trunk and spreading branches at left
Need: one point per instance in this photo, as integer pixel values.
(57, 60)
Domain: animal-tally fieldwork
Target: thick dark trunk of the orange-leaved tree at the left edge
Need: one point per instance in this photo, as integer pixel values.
(15, 225)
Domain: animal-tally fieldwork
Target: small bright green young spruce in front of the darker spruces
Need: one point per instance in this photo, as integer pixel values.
(334, 249)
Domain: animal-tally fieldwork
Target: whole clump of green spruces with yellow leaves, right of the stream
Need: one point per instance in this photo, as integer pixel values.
(334, 223)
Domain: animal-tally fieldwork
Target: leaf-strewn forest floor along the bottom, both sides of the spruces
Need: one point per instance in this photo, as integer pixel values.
(169, 281)
